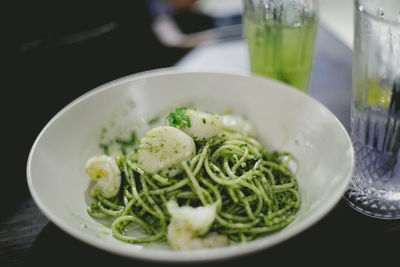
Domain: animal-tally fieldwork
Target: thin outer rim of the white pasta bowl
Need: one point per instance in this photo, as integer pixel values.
(161, 255)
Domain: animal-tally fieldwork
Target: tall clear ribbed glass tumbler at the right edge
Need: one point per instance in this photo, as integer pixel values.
(375, 111)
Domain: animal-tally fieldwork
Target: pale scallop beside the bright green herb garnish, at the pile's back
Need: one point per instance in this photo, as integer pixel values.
(203, 125)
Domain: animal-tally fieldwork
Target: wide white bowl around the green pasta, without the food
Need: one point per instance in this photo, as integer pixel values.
(285, 119)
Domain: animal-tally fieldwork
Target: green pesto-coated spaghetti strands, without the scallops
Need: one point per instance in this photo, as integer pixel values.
(255, 192)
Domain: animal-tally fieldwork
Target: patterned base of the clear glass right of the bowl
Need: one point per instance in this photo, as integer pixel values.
(374, 203)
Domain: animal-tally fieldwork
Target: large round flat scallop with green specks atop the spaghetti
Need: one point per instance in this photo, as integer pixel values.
(164, 148)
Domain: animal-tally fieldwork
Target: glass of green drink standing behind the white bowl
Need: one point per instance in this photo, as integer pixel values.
(281, 35)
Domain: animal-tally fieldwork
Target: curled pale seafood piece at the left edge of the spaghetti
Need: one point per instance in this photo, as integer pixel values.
(105, 172)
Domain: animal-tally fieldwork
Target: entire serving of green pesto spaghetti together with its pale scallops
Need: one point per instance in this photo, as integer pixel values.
(201, 181)
